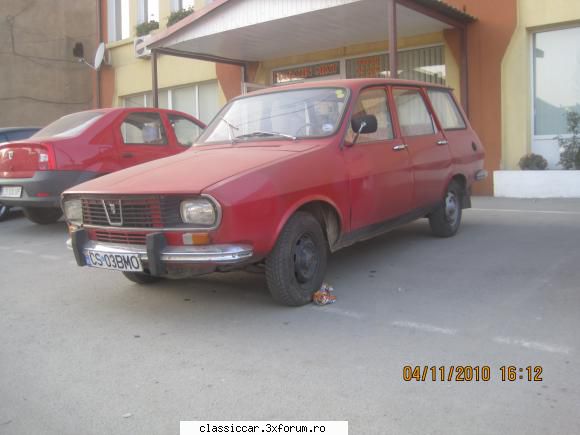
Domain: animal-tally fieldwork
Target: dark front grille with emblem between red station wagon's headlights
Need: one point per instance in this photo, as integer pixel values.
(132, 212)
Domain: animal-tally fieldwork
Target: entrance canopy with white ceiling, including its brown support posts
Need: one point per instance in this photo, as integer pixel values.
(242, 31)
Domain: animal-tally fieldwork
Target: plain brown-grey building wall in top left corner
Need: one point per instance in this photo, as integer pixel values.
(40, 79)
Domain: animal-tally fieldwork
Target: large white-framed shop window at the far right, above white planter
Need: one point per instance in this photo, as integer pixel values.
(556, 64)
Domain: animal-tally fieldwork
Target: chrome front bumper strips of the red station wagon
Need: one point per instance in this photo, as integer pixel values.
(201, 254)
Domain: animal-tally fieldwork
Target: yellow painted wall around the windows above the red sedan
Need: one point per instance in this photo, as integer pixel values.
(133, 75)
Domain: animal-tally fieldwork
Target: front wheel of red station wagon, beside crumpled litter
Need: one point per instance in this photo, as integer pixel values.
(296, 266)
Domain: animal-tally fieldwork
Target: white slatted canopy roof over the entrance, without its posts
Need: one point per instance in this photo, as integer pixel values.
(258, 30)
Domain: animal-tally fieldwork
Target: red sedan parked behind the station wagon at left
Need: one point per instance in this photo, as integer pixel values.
(85, 145)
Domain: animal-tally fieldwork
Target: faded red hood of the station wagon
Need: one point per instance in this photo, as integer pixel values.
(188, 172)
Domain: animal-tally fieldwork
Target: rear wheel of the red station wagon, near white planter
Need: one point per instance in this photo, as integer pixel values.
(445, 220)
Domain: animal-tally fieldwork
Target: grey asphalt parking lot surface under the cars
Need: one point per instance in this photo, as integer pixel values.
(86, 351)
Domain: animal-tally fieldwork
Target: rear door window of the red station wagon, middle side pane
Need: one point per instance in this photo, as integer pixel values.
(414, 117)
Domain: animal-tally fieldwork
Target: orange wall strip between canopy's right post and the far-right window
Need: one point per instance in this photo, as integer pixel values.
(487, 41)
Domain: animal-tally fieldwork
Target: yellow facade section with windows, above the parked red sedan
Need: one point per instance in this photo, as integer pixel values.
(187, 85)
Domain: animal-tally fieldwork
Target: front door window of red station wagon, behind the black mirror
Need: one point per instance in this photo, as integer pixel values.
(373, 102)
